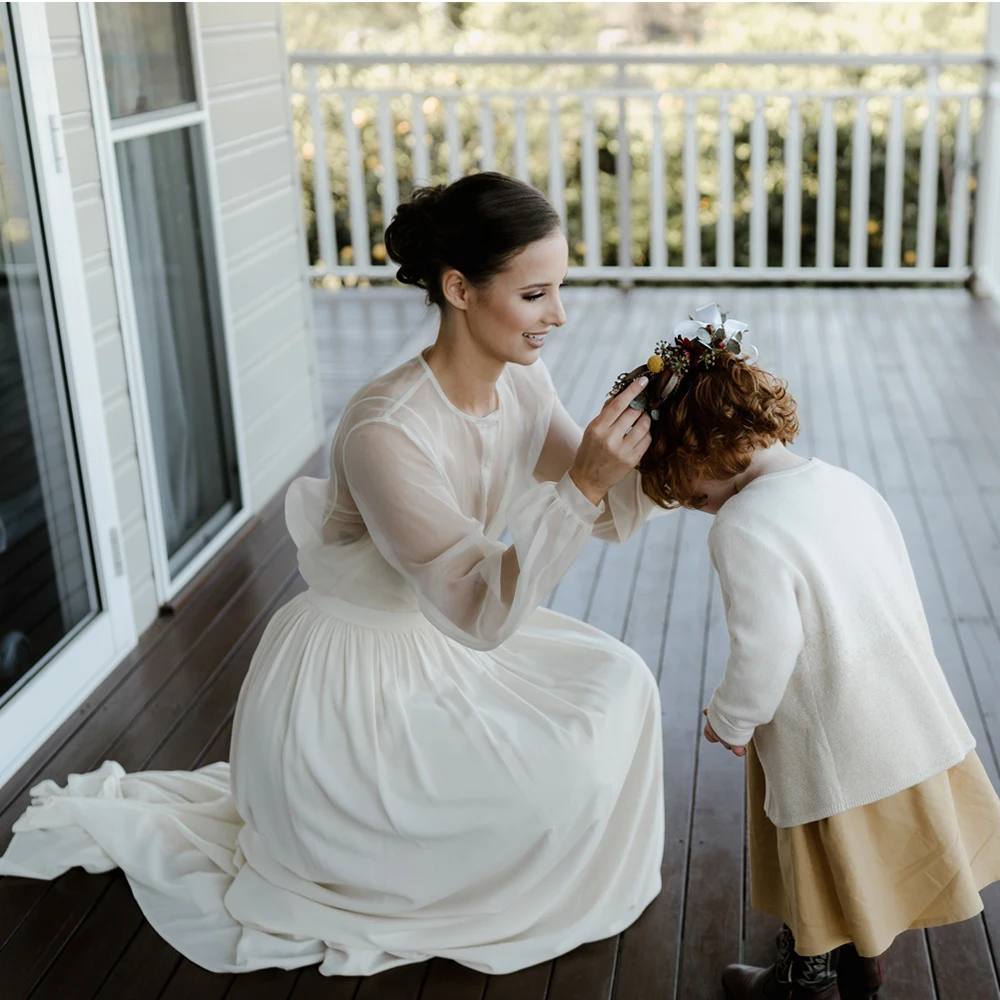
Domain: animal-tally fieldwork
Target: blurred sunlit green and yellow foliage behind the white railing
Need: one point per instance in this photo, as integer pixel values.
(585, 26)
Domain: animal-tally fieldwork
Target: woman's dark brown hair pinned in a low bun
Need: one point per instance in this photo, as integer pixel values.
(475, 225)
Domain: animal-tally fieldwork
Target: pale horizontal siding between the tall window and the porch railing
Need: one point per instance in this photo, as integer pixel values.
(263, 239)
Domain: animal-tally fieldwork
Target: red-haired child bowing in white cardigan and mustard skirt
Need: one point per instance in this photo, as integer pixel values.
(869, 810)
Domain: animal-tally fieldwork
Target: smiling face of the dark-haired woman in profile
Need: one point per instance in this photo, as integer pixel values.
(510, 317)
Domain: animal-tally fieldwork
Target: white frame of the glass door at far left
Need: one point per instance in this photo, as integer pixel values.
(89, 653)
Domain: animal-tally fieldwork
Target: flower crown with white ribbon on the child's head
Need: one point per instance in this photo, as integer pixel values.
(698, 342)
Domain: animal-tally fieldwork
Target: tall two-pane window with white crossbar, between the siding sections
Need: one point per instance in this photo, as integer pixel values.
(157, 130)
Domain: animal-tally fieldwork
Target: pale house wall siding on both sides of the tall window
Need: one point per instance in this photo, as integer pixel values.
(246, 88)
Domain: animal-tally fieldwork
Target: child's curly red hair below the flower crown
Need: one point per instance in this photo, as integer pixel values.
(710, 427)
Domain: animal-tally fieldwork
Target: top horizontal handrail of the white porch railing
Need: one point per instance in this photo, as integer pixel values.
(310, 57)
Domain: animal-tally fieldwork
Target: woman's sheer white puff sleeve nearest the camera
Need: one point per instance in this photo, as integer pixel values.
(475, 590)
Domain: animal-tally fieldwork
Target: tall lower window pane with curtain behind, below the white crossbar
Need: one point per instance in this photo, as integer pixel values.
(182, 353)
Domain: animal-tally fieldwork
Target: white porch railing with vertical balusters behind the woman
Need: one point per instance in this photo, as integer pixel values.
(865, 181)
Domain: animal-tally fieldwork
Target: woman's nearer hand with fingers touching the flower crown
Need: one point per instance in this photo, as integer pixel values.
(612, 445)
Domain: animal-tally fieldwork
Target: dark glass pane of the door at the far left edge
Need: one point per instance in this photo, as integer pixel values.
(47, 582)
